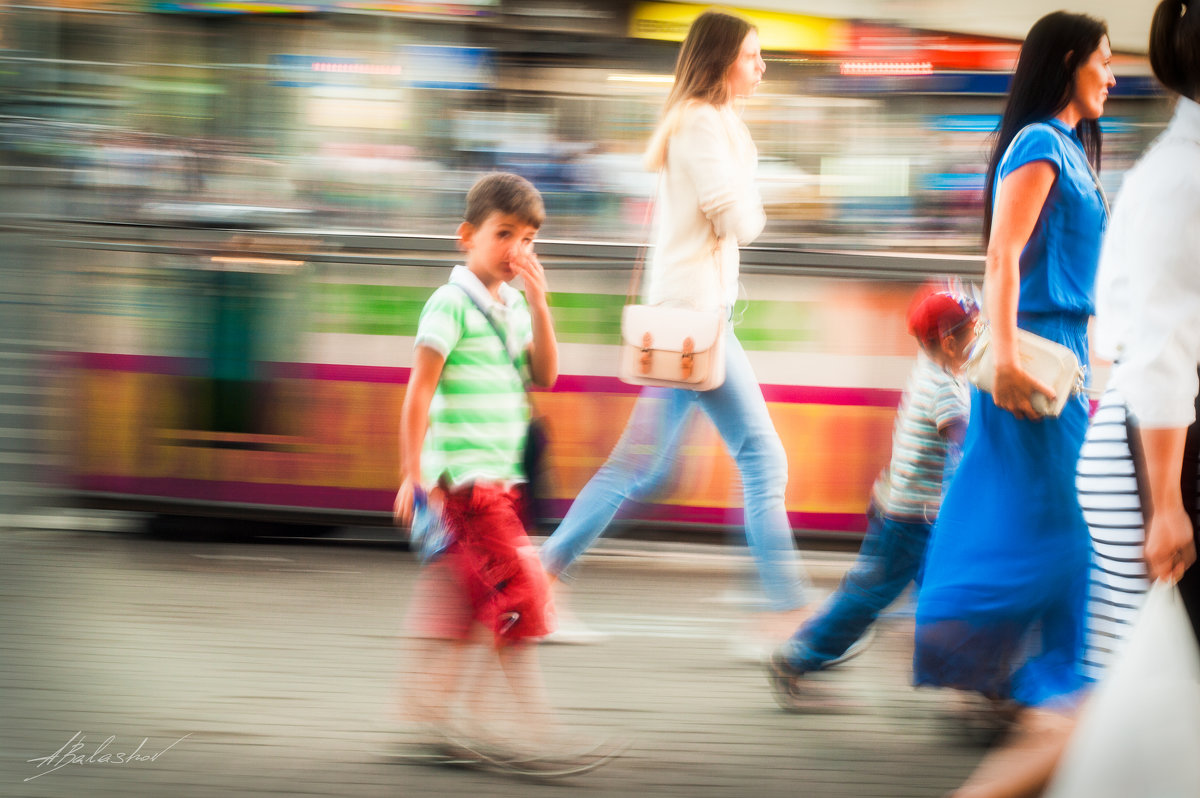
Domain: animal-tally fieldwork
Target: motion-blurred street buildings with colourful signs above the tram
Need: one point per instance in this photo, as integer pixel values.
(872, 123)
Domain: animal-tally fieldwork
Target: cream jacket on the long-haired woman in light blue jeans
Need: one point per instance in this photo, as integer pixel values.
(707, 207)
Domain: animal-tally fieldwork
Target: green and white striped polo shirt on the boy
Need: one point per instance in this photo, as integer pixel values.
(479, 416)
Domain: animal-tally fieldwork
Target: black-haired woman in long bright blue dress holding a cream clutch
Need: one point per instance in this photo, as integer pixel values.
(1003, 605)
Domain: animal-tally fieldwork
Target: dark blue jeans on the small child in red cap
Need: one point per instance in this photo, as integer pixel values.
(889, 561)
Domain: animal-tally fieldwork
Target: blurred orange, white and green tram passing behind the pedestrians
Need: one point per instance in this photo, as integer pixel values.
(262, 375)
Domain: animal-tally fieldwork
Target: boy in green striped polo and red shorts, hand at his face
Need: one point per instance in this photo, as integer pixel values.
(463, 435)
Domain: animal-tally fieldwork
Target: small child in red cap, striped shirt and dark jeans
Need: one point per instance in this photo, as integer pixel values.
(904, 501)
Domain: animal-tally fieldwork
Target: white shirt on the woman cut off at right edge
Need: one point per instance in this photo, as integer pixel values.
(1148, 290)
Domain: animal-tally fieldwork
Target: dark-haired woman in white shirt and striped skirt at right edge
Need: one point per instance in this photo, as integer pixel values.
(1148, 320)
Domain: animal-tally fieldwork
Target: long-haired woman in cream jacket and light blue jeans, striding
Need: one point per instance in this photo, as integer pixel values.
(707, 207)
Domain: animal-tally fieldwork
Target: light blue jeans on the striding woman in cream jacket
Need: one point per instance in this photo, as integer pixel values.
(649, 449)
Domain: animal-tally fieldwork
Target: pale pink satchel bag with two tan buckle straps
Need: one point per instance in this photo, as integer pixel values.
(673, 347)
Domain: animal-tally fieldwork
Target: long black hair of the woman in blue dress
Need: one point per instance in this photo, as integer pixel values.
(1043, 86)
